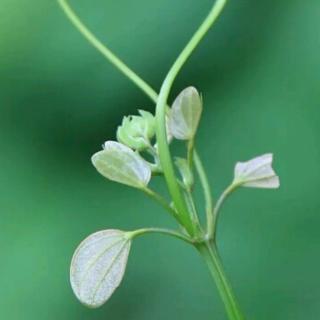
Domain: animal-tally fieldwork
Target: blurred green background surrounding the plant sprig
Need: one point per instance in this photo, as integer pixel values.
(259, 72)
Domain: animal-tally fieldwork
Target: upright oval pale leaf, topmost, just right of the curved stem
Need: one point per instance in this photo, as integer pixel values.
(185, 114)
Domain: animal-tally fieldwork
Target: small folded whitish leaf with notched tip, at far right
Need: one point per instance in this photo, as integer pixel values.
(257, 173)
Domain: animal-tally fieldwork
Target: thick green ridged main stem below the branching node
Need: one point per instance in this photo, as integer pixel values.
(211, 257)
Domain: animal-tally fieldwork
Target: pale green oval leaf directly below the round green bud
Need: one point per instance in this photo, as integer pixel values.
(119, 163)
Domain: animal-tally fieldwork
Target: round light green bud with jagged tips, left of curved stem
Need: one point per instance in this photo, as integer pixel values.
(137, 131)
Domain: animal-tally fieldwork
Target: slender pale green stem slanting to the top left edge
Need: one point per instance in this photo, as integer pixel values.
(107, 53)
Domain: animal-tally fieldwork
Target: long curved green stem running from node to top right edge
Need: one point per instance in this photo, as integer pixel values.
(165, 156)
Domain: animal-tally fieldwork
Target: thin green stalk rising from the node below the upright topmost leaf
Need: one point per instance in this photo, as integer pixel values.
(207, 193)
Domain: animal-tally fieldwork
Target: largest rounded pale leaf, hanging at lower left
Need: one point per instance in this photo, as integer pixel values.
(98, 266)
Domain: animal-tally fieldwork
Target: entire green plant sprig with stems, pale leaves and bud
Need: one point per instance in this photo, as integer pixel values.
(99, 263)
